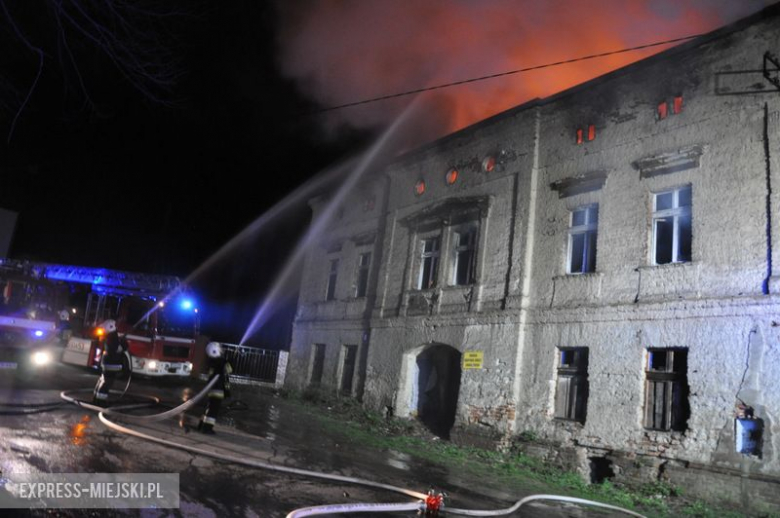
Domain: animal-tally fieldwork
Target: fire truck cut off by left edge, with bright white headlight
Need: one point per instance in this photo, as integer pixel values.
(34, 316)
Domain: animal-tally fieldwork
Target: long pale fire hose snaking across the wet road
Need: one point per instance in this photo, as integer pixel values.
(418, 505)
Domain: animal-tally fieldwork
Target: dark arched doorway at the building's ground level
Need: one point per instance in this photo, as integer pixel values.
(437, 387)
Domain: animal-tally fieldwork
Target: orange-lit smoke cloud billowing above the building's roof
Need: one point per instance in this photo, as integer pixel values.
(343, 51)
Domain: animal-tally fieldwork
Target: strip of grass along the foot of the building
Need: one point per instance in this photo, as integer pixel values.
(363, 427)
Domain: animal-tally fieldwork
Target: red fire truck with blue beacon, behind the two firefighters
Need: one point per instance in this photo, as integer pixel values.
(155, 314)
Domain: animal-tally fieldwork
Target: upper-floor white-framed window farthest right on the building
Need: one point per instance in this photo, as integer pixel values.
(672, 226)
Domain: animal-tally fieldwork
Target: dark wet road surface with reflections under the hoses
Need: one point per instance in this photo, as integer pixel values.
(69, 439)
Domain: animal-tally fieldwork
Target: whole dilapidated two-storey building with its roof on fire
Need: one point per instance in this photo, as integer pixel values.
(595, 269)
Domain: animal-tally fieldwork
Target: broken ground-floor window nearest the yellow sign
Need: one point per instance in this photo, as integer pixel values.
(571, 393)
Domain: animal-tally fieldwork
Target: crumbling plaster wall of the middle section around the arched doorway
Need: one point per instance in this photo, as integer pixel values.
(485, 402)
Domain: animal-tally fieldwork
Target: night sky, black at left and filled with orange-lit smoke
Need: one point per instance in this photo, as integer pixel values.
(156, 131)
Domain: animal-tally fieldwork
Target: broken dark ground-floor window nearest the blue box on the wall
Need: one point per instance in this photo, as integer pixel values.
(666, 389)
